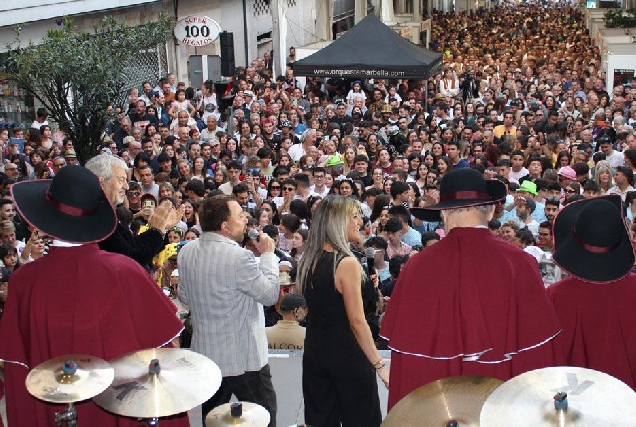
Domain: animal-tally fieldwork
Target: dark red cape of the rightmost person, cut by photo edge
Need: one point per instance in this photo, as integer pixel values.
(599, 325)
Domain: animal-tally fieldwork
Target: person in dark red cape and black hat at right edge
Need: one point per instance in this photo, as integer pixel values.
(596, 303)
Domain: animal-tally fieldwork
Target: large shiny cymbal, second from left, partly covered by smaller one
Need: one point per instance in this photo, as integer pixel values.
(159, 382)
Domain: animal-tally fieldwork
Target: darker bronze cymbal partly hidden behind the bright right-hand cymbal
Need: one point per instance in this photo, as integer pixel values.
(439, 402)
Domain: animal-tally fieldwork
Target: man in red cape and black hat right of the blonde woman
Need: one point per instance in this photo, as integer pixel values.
(471, 304)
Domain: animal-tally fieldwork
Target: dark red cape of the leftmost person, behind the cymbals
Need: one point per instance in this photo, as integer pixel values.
(79, 300)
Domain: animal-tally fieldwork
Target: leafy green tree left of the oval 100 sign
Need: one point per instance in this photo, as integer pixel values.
(77, 74)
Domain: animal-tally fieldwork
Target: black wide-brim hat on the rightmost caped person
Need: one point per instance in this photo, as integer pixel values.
(591, 240)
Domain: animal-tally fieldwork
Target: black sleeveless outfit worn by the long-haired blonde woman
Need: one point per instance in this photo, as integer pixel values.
(339, 383)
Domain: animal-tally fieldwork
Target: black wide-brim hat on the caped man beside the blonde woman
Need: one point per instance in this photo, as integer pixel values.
(461, 188)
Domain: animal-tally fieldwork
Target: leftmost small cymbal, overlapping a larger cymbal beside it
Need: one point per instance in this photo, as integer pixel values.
(70, 378)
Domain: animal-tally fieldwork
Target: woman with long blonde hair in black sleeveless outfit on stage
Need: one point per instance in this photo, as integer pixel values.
(340, 360)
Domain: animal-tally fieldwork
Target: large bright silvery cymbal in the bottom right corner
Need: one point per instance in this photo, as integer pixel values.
(593, 399)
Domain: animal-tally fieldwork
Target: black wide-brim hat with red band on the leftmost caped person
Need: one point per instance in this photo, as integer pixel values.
(71, 207)
